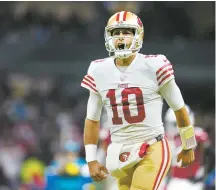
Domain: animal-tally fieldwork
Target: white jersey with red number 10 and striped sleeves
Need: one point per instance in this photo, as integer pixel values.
(131, 98)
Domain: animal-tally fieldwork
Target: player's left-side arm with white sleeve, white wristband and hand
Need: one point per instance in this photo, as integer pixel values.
(91, 136)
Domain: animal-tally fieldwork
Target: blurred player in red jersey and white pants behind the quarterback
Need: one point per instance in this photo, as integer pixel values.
(192, 176)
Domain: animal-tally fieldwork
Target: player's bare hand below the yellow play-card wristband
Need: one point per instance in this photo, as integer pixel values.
(186, 157)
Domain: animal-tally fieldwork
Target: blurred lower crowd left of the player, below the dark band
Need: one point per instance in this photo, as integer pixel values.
(36, 122)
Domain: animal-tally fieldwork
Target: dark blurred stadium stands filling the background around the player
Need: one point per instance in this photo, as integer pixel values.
(45, 50)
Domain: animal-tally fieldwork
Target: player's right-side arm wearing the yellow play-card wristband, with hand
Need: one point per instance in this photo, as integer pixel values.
(172, 94)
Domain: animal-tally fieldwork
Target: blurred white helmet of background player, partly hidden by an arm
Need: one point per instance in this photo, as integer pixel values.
(170, 120)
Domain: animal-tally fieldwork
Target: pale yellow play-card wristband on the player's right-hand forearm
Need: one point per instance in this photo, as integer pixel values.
(187, 137)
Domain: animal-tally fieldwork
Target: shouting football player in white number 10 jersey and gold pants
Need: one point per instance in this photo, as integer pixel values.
(131, 86)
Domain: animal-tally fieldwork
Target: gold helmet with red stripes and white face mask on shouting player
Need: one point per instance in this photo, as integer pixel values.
(129, 20)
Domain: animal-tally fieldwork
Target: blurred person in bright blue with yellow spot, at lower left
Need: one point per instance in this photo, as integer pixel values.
(68, 170)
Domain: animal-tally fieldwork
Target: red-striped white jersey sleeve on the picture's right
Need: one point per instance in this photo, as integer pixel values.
(163, 70)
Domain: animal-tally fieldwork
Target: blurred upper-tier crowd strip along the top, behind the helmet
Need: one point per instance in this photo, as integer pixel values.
(45, 20)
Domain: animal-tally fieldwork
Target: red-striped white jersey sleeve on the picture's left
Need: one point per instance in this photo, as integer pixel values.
(88, 81)
